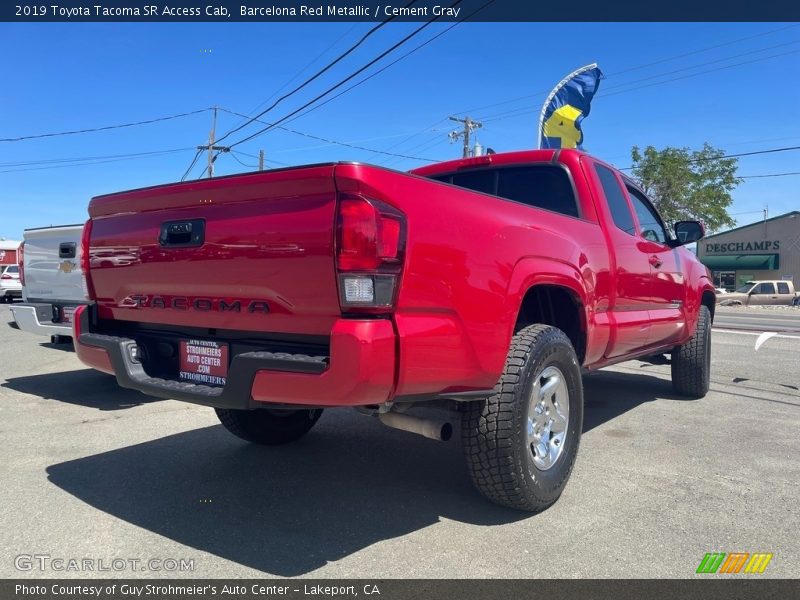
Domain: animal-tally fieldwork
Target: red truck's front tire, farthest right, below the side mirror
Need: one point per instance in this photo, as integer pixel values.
(691, 362)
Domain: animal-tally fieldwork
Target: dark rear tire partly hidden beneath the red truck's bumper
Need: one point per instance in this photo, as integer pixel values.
(266, 426)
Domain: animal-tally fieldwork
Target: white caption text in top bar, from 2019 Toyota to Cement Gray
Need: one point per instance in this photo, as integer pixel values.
(154, 11)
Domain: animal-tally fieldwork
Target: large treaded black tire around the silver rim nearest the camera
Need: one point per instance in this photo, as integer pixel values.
(495, 431)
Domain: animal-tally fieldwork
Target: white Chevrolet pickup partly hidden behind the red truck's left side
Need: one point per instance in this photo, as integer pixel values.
(52, 281)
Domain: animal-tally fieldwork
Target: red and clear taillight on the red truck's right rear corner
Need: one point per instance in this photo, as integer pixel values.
(370, 246)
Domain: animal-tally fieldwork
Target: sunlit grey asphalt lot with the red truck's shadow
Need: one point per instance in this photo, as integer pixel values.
(92, 471)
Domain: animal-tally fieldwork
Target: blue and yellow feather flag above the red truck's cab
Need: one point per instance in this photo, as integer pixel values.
(566, 106)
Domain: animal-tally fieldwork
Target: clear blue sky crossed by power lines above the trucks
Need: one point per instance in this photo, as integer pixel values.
(59, 77)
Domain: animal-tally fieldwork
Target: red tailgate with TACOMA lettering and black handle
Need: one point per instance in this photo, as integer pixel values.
(248, 252)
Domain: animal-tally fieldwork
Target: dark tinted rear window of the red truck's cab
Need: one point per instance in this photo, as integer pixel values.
(542, 186)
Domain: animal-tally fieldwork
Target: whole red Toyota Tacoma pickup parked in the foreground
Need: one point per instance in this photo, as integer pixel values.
(484, 285)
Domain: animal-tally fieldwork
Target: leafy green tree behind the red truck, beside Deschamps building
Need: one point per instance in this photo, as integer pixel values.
(688, 184)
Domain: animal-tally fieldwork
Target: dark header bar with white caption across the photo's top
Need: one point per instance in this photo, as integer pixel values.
(151, 11)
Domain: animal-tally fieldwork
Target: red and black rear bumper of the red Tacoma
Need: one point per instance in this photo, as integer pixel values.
(359, 370)
